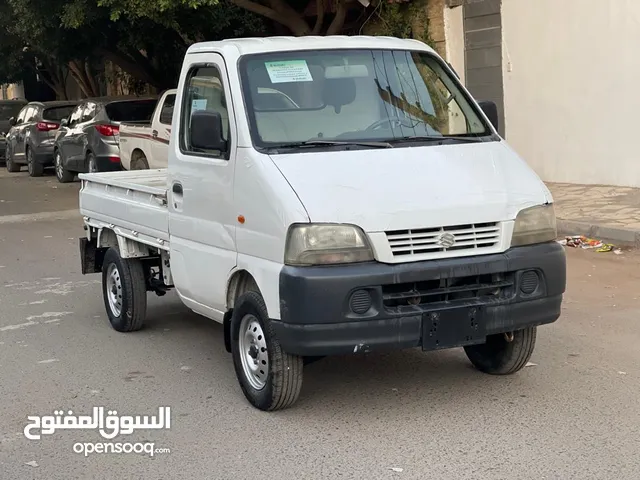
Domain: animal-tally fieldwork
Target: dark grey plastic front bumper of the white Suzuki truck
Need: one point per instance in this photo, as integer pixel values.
(519, 288)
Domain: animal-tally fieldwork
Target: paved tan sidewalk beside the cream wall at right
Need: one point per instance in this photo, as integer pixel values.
(602, 212)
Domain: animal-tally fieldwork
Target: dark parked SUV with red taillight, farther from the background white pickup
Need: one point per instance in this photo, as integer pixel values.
(30, 140)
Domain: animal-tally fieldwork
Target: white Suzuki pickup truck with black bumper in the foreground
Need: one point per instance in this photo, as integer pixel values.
(376, 209)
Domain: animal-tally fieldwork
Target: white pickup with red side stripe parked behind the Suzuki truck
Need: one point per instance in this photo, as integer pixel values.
(146, 145)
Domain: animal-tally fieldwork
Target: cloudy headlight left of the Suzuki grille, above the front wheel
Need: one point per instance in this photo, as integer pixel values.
(326, 244)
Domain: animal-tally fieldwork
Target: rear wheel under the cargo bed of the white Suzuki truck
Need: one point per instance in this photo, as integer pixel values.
(124, 291)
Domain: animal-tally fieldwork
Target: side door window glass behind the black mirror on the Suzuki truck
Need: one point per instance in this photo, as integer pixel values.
(204, 91)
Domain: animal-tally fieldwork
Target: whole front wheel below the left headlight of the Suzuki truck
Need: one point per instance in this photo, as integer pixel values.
(282, 378)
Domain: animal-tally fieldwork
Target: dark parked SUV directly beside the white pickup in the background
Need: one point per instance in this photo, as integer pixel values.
(88, 141)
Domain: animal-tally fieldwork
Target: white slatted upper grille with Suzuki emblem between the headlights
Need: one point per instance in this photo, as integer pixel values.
(424, 241)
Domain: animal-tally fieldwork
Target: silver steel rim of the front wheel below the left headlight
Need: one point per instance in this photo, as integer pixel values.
(253, 352)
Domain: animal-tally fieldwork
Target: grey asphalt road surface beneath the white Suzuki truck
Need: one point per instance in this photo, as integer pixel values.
(572, 415)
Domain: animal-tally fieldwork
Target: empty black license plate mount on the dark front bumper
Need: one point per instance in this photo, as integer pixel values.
(454, 327)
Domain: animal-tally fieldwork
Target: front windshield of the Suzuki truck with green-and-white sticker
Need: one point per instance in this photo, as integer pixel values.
(354, 95)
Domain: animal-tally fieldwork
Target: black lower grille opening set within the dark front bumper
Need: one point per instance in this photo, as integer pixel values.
(448, 291)
